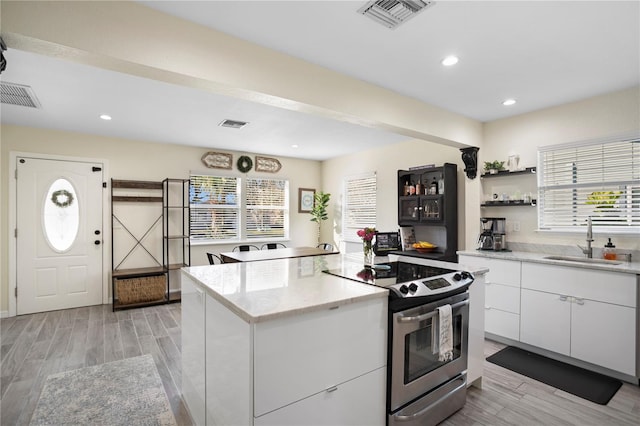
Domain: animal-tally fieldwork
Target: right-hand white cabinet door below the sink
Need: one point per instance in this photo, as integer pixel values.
(604, 334)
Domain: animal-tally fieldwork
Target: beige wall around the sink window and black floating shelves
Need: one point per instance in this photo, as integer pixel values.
(602, 116)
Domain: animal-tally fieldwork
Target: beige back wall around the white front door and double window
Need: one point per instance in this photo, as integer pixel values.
(129, 159)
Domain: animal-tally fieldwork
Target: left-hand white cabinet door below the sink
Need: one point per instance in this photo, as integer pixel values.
(545, 320)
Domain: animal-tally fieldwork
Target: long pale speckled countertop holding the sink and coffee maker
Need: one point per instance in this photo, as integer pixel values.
(617, 266)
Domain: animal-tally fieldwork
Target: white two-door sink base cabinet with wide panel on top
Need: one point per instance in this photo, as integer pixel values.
(583, 313)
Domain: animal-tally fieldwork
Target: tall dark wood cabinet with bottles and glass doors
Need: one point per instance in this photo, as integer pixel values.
(427, 201)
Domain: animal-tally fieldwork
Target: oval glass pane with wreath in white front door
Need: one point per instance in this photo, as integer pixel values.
(61, 215)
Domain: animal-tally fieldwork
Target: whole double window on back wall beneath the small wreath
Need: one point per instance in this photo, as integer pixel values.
(231, 209)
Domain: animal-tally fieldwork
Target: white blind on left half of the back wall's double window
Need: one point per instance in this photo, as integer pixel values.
(215, 207)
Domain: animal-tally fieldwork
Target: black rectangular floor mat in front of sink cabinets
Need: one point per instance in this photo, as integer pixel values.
(586, 384)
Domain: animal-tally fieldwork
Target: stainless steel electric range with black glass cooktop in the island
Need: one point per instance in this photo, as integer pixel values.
(421, 389)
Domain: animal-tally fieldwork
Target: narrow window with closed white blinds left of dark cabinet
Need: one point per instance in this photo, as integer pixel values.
(359, 208)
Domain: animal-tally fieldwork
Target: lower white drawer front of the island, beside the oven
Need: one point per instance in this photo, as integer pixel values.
(357, 402)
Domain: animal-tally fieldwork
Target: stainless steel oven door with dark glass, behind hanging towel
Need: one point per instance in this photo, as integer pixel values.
(415, 368)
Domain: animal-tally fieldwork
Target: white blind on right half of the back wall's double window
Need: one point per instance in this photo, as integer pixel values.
(267, 208)
